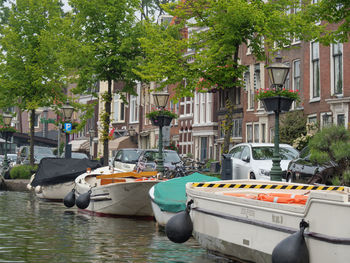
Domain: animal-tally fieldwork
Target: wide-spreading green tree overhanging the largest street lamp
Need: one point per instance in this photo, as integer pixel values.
(222, 28)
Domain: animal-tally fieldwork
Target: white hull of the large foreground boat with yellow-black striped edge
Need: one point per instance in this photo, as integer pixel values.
(250, 229)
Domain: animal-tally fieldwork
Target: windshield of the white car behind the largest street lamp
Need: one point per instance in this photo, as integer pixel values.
(266, 153)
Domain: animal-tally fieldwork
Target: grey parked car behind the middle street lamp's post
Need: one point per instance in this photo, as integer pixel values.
(147, 160)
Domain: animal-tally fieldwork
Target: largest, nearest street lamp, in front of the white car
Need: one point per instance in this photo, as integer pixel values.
(278, 73)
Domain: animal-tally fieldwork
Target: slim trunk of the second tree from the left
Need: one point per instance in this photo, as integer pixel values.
(106, 123)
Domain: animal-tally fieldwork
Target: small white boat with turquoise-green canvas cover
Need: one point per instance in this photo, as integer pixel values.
(169, 197)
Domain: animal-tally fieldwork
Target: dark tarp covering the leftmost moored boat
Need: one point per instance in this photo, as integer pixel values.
(60, 170)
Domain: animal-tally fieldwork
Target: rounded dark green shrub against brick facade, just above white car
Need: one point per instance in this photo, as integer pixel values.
(293, 125)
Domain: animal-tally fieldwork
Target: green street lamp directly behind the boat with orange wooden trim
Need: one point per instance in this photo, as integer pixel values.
(161, 100)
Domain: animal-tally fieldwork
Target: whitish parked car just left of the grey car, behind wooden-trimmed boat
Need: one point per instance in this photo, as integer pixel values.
(126, 159)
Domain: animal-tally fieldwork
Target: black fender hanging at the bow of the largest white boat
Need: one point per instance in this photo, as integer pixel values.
(179, 228)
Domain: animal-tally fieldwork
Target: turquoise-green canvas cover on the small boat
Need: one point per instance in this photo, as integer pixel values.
(171, 195)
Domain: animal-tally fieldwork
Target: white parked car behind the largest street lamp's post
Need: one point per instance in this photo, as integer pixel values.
(254, 160)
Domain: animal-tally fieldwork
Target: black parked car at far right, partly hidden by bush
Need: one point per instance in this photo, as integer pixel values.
(303, 170)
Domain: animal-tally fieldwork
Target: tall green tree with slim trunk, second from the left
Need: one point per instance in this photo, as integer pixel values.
(105, 45)
